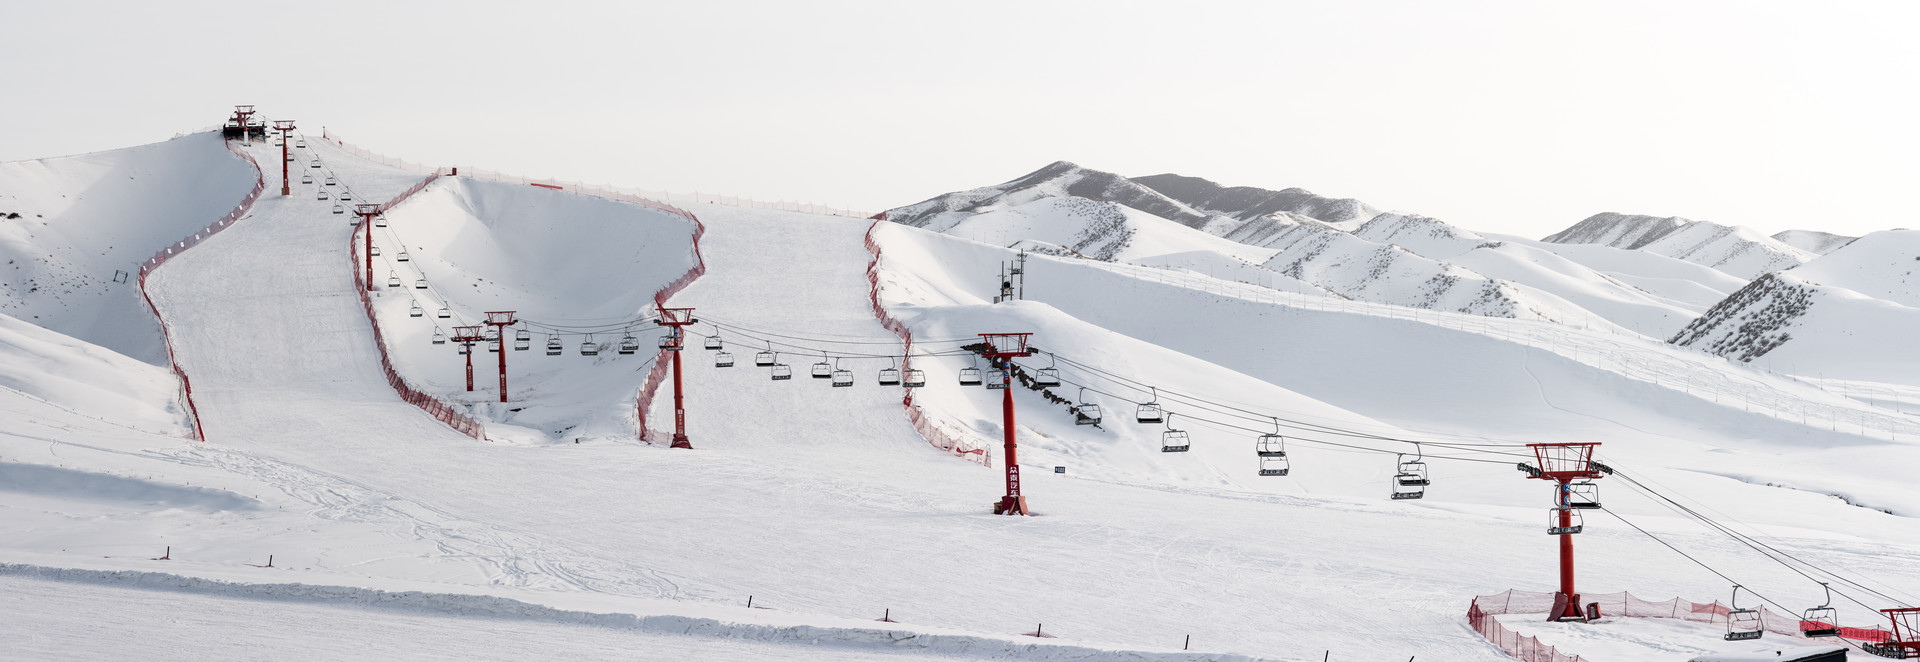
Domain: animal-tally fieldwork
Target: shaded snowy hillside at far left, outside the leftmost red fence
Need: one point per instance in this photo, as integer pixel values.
(74, 233)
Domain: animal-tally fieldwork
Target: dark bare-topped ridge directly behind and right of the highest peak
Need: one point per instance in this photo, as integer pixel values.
(1249, 204)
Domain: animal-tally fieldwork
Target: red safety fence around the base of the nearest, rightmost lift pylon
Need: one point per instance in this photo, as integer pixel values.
(1485, 607)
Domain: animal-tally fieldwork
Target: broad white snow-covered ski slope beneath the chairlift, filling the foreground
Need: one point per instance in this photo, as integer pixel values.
(827, 506)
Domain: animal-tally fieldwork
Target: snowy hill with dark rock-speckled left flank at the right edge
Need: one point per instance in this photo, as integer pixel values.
(1802, 327)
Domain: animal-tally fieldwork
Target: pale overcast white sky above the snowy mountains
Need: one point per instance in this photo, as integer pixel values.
(1499, 116)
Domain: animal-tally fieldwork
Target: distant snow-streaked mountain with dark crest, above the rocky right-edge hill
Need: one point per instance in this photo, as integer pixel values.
(1735, 250)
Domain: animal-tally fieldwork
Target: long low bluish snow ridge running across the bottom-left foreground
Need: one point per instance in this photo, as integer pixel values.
(468, 605)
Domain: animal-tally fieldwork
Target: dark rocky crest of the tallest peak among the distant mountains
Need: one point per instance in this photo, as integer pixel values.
(1059, 179)
